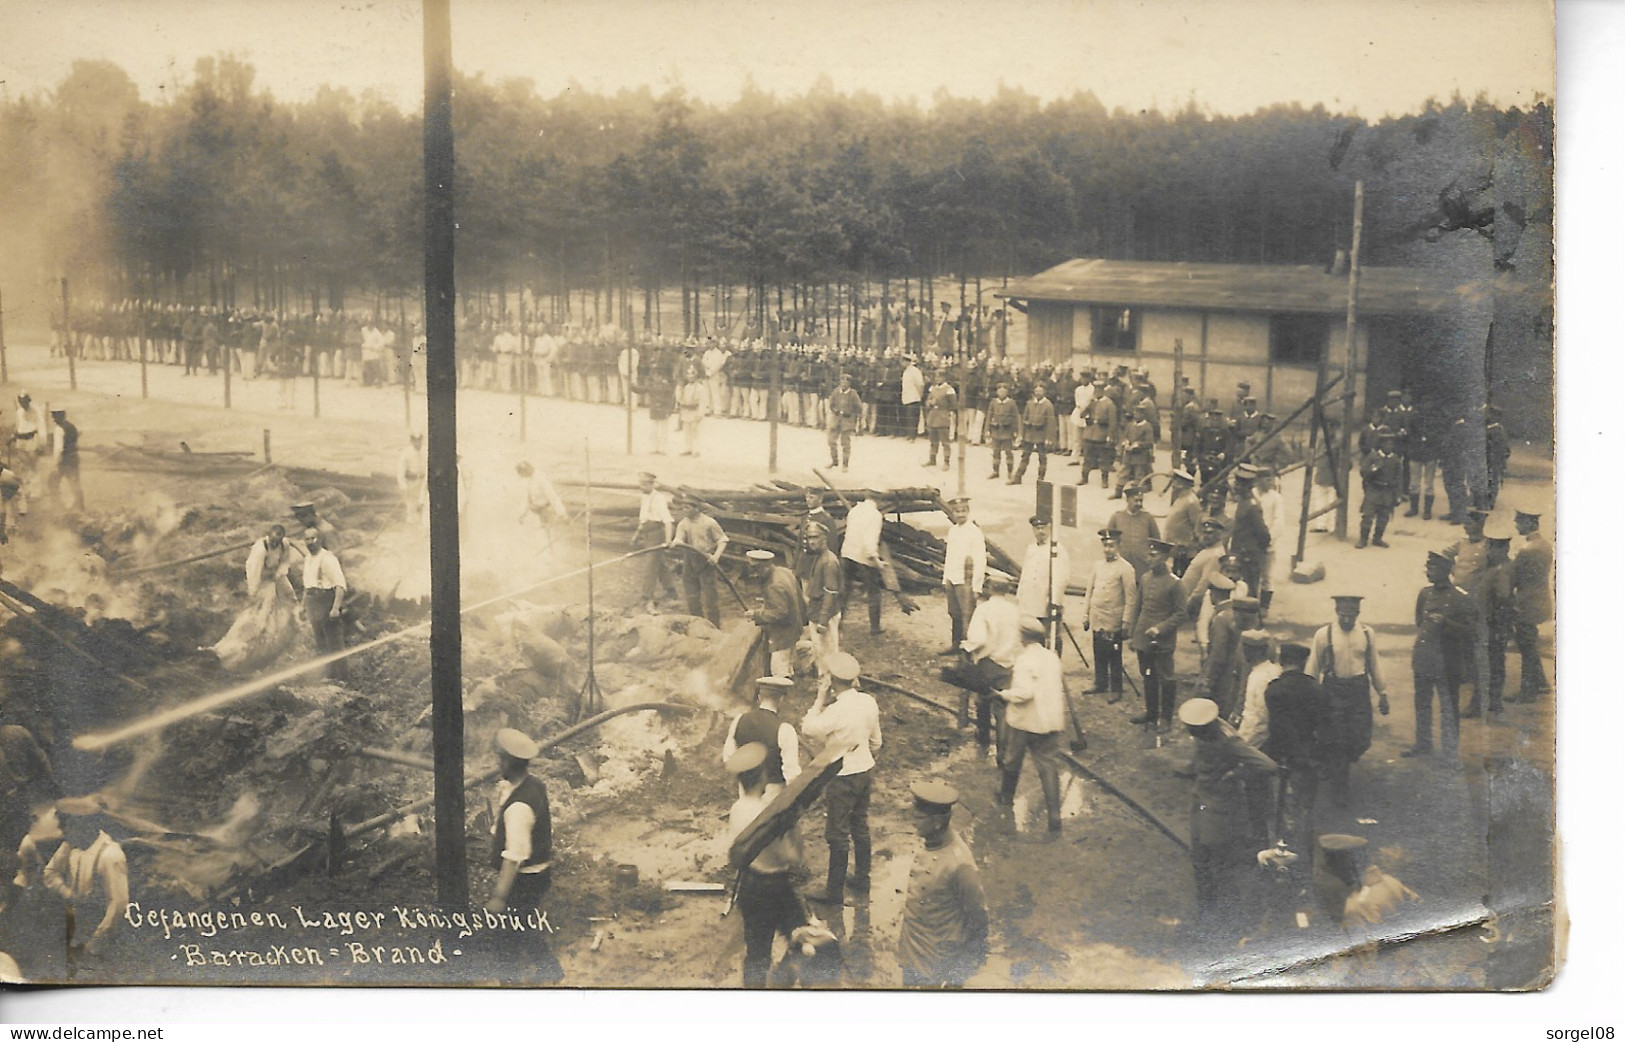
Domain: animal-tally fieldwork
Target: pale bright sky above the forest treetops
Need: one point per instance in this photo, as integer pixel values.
(1371, 56)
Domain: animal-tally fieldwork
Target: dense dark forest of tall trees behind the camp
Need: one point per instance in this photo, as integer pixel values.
(591, 204)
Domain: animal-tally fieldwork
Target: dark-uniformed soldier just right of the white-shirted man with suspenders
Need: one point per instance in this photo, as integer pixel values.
(1445, 622)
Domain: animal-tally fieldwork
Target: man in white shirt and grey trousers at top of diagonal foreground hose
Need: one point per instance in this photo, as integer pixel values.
(1036, 711)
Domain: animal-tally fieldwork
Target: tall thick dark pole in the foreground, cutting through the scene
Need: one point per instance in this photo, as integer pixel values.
(446, 622)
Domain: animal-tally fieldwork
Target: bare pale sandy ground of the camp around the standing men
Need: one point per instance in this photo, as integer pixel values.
(1107, 906)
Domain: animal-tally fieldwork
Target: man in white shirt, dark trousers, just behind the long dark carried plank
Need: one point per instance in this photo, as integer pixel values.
(852, 723)
